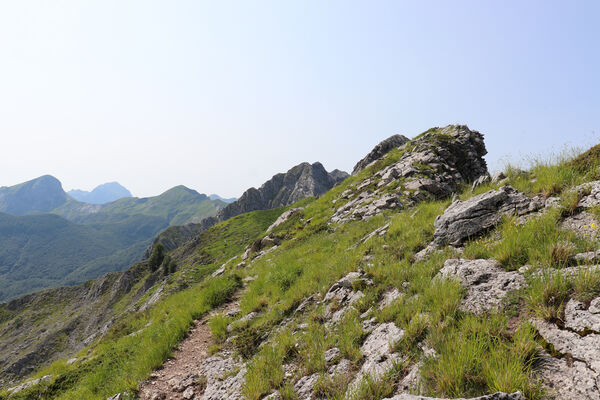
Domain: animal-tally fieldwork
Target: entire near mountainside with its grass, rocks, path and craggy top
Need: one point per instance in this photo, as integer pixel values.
(419, 277)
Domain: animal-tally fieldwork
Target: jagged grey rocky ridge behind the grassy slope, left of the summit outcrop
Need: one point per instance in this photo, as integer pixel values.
(300, 182)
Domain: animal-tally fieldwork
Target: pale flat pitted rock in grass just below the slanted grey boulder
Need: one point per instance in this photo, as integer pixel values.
(487, 283)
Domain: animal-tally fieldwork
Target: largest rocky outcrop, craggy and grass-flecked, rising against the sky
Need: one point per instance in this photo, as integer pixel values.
(432, 166)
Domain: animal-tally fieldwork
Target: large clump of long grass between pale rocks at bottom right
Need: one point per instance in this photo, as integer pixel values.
(477, 356)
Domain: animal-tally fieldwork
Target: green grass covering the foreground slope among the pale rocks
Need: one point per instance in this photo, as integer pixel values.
(475, 354)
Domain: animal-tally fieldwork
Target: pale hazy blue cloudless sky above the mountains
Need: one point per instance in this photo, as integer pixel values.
(221, 95)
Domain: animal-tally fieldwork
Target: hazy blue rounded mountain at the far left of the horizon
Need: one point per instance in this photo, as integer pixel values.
(38, 195)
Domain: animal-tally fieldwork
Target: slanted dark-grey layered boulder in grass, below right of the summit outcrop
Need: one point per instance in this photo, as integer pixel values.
(470, 218)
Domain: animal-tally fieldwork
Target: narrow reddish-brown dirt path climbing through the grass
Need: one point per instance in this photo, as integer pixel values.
(180, 373)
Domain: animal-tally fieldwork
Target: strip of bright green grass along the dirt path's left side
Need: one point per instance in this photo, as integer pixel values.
(122, 360)
